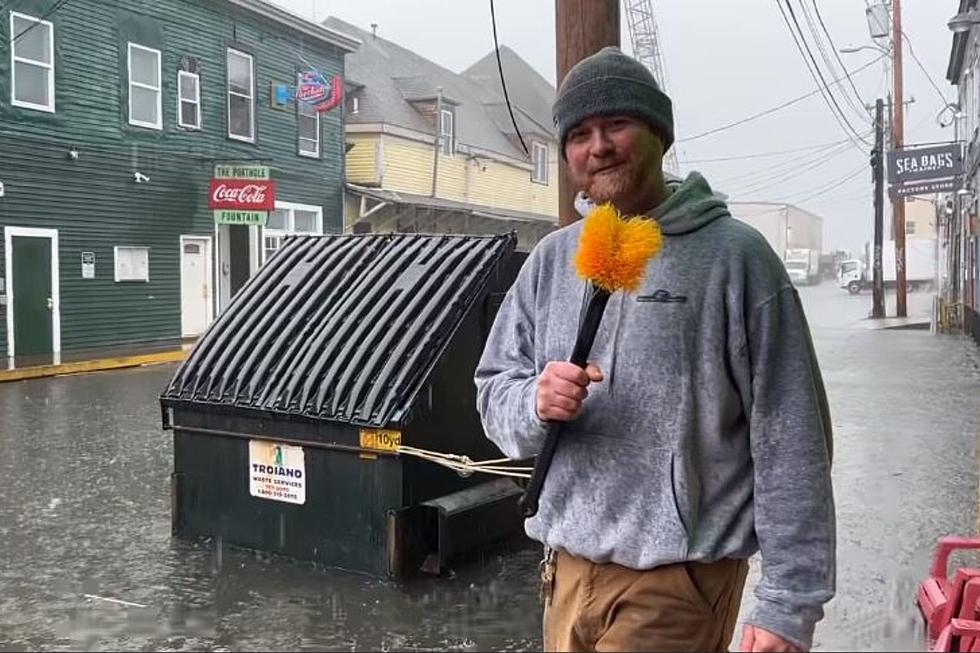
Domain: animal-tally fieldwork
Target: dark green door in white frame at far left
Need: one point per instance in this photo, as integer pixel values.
(32, 296)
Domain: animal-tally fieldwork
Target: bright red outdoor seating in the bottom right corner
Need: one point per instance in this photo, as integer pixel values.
(941, 600)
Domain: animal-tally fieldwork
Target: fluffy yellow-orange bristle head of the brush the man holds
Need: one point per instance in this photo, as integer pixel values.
(613, 251)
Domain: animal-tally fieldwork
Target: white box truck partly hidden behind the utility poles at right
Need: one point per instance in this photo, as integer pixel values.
(920, 267)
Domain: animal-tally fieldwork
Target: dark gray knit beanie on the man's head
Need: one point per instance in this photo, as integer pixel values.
(611, 83)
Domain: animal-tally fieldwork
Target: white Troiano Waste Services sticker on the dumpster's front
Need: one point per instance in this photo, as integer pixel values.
(276, 472)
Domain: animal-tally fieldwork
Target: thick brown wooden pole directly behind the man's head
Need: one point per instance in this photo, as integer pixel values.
(582, 28)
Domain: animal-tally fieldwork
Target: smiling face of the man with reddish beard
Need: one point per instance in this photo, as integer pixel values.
(614, 159)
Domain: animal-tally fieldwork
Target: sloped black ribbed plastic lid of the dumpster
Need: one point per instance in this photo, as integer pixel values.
(343, 328)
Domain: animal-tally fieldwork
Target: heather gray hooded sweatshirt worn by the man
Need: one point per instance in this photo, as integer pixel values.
(710, 436)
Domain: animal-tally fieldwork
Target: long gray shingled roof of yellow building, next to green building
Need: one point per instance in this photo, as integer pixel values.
(393, 77)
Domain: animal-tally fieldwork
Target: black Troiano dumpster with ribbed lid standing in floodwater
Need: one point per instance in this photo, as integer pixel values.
(288, 413)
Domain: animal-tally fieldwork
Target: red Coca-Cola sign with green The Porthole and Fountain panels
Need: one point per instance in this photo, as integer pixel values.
(241, 195)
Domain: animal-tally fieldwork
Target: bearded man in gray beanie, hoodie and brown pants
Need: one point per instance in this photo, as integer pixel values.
(701, 433)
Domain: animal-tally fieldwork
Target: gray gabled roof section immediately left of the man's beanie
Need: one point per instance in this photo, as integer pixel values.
(529, 92)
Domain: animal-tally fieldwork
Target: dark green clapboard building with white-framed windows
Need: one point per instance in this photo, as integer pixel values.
(114, 117)
